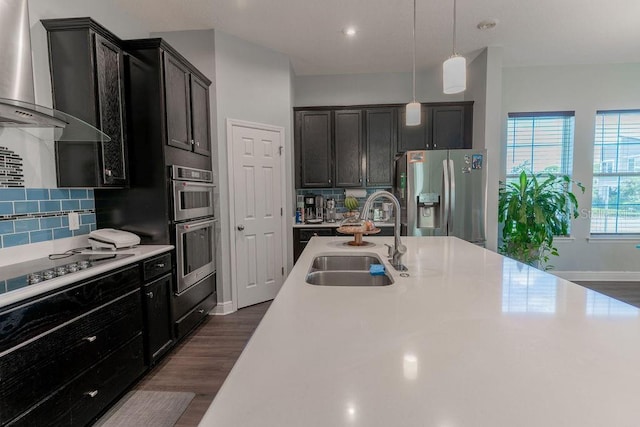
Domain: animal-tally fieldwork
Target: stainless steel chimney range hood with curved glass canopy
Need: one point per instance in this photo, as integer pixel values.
(17, 99)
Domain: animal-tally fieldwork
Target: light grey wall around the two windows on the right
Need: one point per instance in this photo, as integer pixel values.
(583, 89)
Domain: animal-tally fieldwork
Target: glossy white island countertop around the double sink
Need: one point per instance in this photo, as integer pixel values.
(469, 339)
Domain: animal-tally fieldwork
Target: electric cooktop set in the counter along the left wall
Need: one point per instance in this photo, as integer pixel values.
(29, 273)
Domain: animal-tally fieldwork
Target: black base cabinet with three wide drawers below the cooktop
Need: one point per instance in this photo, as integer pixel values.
(66, 356)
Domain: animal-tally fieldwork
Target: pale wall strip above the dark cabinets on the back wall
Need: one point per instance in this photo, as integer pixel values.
(373, 88)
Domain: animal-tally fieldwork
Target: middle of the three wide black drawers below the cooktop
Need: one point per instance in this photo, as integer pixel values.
(32, 371)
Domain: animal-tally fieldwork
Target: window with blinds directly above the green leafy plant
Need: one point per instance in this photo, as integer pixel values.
(540, 142)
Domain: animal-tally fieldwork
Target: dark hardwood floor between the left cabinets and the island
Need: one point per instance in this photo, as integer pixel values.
(203, 360)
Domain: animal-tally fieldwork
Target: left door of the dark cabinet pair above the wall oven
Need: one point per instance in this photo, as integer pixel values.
(177, 103)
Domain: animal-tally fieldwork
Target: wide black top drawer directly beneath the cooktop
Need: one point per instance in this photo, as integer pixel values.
(25, 321)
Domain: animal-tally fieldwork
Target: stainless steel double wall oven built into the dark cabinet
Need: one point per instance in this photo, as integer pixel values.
(193, 223)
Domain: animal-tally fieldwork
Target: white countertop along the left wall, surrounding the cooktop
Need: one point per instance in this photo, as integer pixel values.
(138, 253)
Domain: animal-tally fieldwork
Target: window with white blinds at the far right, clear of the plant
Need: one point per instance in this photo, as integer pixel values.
(615, 205)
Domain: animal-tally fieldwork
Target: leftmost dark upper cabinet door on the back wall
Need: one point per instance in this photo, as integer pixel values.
(314, 148)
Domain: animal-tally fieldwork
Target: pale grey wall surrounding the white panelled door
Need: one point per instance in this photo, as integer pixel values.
(253, 84)
